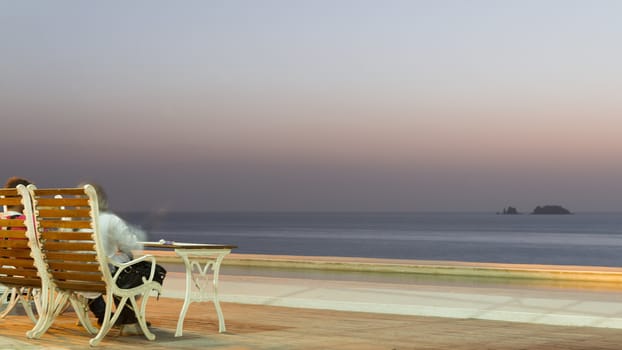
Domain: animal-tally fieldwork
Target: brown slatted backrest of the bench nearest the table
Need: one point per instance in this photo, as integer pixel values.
(66, 221)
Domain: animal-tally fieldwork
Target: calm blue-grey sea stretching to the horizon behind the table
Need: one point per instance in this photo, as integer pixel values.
(579, 239)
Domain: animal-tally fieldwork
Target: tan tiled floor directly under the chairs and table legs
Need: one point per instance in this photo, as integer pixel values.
(272, 327)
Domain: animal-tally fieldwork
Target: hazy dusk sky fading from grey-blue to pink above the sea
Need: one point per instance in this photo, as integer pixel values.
(314, 105)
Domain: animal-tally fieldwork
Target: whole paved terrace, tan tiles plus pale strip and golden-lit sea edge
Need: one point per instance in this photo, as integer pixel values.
(287, 307)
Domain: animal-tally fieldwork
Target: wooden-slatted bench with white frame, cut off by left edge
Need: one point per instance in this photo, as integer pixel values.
(18, 275)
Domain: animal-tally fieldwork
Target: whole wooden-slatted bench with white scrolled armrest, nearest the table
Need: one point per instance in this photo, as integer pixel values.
(73, 261)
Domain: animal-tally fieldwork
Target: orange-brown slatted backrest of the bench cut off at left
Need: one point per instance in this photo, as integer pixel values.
(17, 267)
